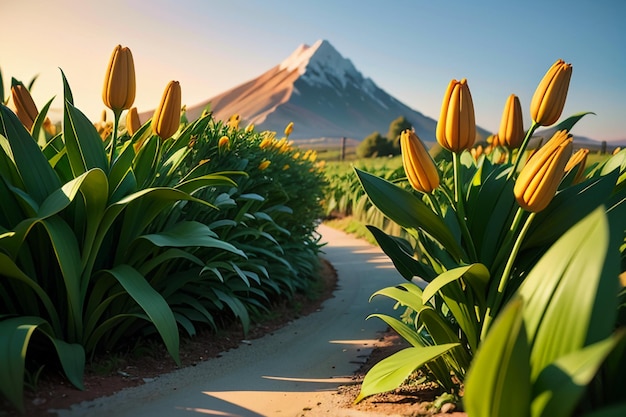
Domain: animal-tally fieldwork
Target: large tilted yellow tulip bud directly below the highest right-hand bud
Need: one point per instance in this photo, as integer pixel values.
(539, 179)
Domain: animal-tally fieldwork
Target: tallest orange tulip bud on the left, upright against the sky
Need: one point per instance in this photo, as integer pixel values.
(118, 92)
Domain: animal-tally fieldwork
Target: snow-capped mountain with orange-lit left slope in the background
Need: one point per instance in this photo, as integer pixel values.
(322, 93)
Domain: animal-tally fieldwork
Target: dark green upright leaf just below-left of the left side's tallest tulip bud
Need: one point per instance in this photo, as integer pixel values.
(84, 145)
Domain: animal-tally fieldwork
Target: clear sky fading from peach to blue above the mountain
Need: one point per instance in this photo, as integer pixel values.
(410, 48)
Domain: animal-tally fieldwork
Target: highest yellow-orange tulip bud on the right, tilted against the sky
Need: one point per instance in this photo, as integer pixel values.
(549, 98)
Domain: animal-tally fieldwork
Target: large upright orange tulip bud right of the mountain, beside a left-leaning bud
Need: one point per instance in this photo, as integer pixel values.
(456, 128)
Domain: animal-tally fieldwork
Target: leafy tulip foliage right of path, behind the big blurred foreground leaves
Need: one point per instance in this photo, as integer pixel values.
(470, 247)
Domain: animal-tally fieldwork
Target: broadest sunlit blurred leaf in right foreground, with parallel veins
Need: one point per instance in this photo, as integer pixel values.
(571, 293)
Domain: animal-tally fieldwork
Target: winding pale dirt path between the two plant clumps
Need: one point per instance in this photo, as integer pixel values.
(295, 370)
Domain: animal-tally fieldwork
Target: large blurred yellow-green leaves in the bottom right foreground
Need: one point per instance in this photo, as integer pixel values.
(544, 349)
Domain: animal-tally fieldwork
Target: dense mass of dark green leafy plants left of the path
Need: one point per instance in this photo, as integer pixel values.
(148, 238)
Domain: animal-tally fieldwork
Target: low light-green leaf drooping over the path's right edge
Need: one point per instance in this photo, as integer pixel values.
(392, 371)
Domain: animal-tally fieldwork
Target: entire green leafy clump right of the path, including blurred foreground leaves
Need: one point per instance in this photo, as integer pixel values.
(475, 255)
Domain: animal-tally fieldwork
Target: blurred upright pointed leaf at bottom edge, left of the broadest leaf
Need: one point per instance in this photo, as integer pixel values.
(498, 382)
